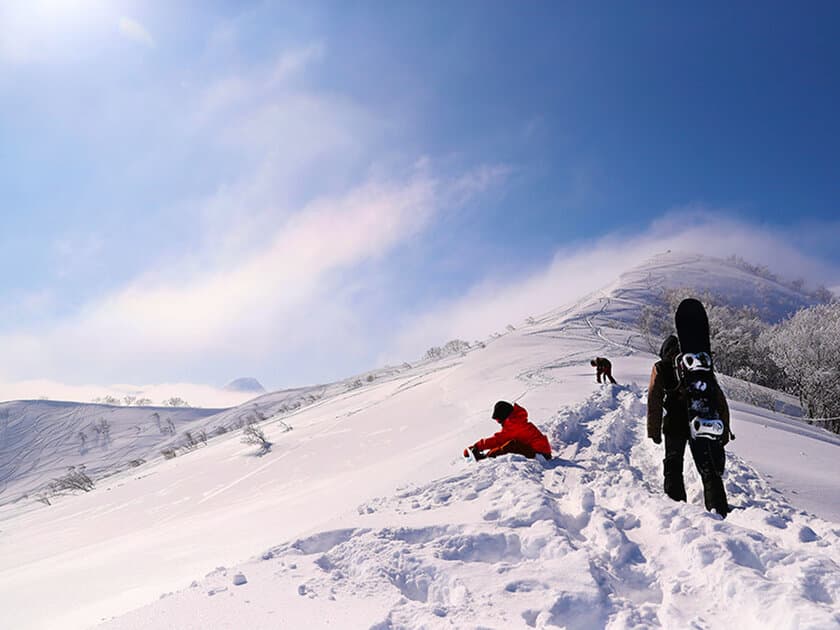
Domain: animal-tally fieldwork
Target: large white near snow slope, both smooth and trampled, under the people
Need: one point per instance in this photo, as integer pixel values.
(387, 526)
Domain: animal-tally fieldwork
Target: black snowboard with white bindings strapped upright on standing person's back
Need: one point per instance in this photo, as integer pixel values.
(695, 371)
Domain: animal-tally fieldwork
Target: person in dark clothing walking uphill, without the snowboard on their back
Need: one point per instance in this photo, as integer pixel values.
(668, 414)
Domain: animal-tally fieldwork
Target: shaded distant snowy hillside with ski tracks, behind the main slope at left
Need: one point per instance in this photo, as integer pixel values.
(39, 440)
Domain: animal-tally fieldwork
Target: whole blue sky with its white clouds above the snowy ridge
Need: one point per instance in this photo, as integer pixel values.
(196, 191)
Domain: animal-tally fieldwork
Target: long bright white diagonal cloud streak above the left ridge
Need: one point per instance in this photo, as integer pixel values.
(175, 311)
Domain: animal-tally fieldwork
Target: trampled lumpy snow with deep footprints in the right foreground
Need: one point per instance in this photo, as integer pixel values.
(587, 540)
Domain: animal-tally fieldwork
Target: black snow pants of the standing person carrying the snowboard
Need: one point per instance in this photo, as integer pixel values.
(709, 458)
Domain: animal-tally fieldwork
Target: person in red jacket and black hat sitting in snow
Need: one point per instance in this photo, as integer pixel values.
(517, 435)
